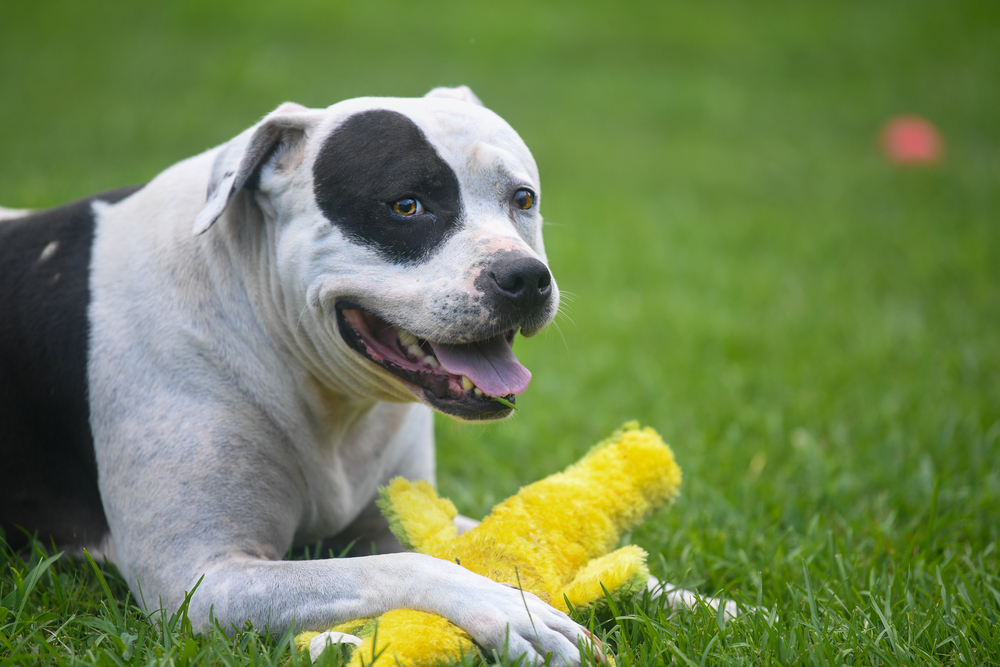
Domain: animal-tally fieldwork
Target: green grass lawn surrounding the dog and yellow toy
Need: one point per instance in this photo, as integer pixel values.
(816, 332)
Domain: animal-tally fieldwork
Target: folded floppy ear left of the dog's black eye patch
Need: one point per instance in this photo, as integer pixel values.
(239, 163)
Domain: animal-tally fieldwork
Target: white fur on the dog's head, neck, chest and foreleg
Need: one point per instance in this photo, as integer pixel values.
(230, 418)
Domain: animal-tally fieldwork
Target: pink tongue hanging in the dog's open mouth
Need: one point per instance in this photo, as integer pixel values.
(490, 364)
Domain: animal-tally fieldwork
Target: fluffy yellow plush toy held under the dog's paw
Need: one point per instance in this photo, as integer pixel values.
(554, 539)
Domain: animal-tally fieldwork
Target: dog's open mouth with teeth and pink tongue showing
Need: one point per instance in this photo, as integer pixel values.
(460, 380)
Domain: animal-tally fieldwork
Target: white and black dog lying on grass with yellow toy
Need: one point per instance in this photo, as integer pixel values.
(203, 371)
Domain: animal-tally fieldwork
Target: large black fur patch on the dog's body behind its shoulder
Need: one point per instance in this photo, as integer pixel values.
(48, 475)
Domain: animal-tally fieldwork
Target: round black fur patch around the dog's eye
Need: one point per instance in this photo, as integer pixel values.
(373, 160)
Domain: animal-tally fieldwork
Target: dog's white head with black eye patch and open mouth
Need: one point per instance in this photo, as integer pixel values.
(404, 241)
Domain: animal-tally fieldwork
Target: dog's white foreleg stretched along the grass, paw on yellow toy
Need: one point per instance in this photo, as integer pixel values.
(318, 594)
